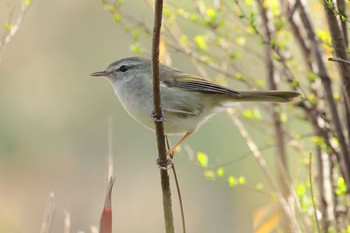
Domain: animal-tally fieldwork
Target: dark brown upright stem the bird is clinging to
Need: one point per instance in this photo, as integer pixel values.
(158, 117)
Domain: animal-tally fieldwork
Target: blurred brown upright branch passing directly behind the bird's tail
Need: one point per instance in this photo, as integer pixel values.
(282, 162)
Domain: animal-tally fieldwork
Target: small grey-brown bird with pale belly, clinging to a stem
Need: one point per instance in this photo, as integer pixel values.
(187, 100)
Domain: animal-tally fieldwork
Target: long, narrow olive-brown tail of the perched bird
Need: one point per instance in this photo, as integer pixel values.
(267, 96)
